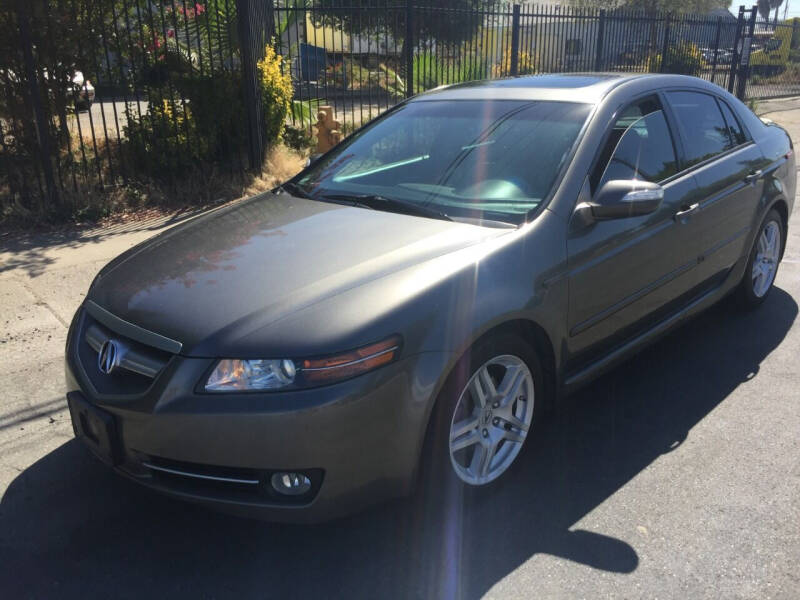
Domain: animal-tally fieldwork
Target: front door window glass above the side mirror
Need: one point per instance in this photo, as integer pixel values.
(640, 147)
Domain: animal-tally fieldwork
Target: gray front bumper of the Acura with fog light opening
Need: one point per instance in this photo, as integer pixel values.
(358, 440)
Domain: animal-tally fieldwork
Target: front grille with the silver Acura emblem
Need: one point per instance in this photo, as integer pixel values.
(134, 368)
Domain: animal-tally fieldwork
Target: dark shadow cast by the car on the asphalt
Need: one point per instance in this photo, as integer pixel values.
(70, 528)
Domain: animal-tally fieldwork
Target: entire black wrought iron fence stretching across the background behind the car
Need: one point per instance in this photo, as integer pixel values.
(96, 93)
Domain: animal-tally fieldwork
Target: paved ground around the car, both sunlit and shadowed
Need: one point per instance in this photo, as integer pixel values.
(676, 475)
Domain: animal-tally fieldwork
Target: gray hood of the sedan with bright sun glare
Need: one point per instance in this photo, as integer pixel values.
(240, 268)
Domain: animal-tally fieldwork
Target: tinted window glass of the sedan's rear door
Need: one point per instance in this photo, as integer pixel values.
(702, 126)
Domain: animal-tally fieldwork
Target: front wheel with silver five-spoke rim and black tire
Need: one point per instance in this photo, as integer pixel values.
(496, 423)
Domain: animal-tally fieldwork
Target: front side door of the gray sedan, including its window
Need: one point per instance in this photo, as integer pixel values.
(623, 272)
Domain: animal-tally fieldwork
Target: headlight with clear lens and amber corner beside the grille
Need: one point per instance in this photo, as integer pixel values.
(232, 375)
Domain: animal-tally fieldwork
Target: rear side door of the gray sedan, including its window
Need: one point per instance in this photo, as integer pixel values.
(727, 167)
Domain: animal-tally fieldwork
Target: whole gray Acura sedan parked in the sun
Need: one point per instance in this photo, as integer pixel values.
(401, 313)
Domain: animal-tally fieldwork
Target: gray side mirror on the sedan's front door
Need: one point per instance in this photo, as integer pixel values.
(623, 198)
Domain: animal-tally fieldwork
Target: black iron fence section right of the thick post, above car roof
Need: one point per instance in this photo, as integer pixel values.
(364, 61)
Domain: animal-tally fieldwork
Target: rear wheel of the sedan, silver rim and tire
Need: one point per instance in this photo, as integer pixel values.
(762, 264)
